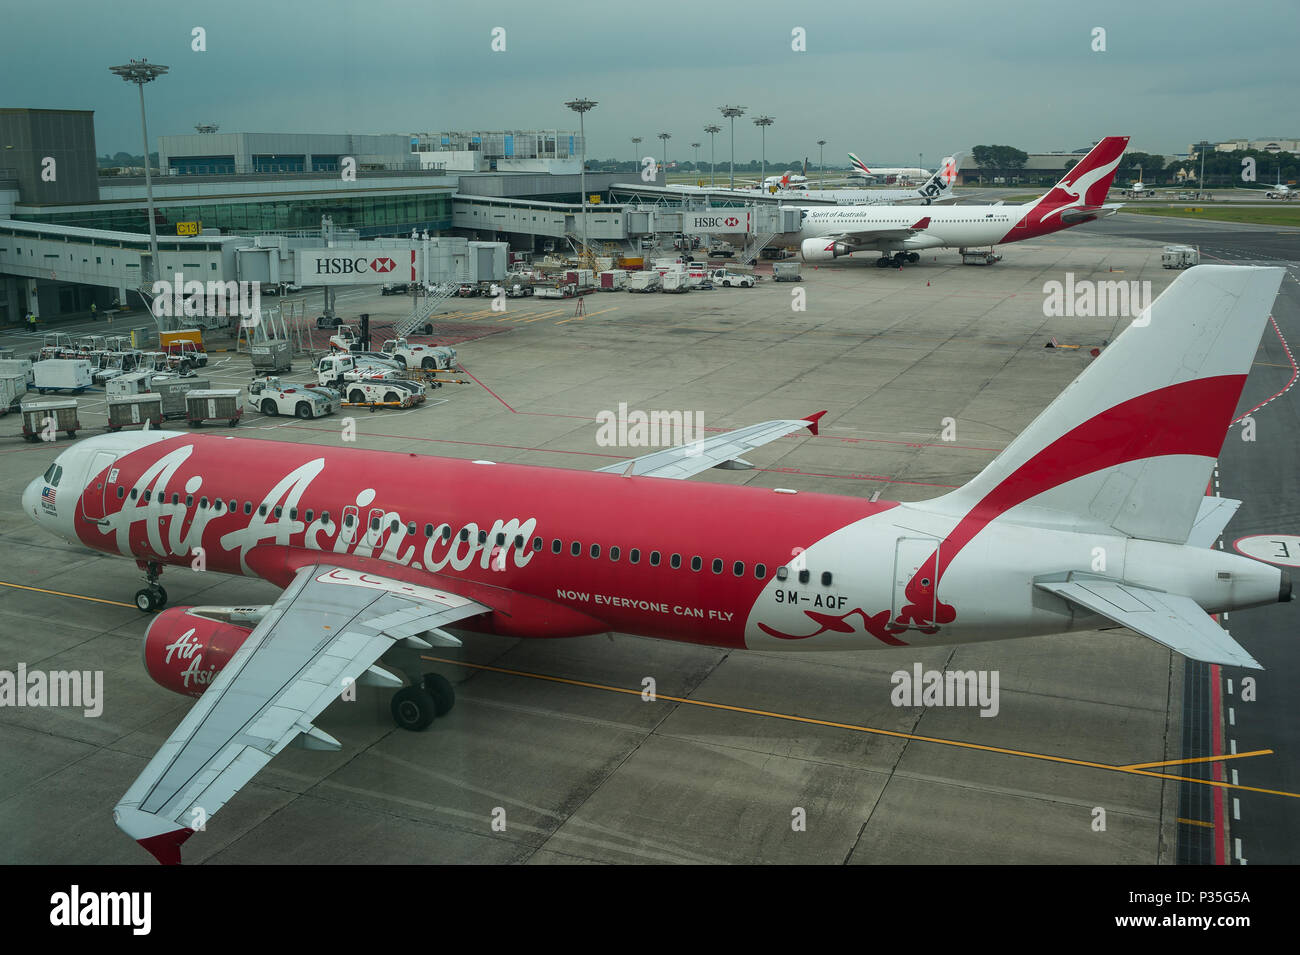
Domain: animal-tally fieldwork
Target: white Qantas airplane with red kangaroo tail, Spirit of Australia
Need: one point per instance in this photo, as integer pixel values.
(831, 235)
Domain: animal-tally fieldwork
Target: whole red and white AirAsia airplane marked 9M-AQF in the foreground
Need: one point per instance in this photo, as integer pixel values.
(1095, 516)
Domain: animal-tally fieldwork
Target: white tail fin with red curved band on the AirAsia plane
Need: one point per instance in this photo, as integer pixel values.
(1130, 445)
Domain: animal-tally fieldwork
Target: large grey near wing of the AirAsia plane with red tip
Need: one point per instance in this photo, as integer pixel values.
(326, 631)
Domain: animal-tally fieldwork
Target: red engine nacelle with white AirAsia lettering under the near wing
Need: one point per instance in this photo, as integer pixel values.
(185, 649)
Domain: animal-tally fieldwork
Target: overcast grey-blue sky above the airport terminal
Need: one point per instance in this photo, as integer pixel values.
(886, 80)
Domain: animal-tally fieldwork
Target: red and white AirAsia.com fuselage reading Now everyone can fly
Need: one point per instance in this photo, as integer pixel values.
(561, 553)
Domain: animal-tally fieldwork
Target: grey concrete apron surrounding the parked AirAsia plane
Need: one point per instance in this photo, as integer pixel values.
(552, 753)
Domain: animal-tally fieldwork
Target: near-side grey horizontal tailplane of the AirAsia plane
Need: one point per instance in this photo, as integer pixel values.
(1172, 620)
